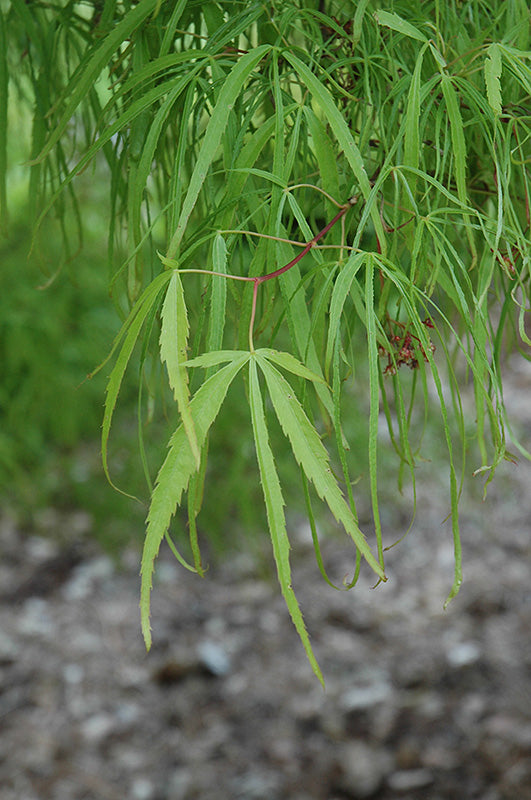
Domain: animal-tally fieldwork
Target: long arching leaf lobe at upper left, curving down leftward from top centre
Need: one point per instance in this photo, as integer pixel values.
(216, 126)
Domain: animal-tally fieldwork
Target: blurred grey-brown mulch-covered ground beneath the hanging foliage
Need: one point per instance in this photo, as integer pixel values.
(420, 702)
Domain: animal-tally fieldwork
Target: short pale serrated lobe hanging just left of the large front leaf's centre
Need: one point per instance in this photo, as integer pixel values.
(173, 346)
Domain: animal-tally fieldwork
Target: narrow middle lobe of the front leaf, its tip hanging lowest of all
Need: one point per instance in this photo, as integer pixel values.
(275, 512)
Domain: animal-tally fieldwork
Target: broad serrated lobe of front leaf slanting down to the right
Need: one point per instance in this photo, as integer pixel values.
(310, 453)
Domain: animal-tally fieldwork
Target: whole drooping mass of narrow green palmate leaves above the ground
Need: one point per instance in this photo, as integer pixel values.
(229, 132)
